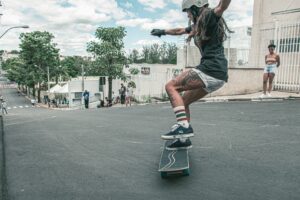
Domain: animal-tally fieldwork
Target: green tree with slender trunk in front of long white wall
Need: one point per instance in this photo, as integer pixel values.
(109, 54)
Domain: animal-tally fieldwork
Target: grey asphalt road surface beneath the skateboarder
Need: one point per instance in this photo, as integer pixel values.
(242, 150)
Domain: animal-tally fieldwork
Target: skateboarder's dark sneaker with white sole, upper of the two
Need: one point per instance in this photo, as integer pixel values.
(179, 131)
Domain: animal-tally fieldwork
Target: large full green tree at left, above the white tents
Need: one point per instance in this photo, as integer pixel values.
(39, 53)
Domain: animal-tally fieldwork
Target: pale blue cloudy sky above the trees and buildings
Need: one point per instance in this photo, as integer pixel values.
(74, 22)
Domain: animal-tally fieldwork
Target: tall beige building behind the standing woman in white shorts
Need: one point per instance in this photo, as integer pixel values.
(278, 22)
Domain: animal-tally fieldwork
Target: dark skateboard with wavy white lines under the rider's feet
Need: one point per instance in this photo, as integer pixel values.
(173, 162)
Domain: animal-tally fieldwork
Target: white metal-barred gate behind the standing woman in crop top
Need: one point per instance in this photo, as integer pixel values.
(286, 37)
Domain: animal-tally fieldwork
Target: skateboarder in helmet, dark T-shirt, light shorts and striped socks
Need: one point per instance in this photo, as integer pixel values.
(208, 30)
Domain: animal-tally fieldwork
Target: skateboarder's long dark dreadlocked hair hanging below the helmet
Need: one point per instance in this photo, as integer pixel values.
(201, 26)
